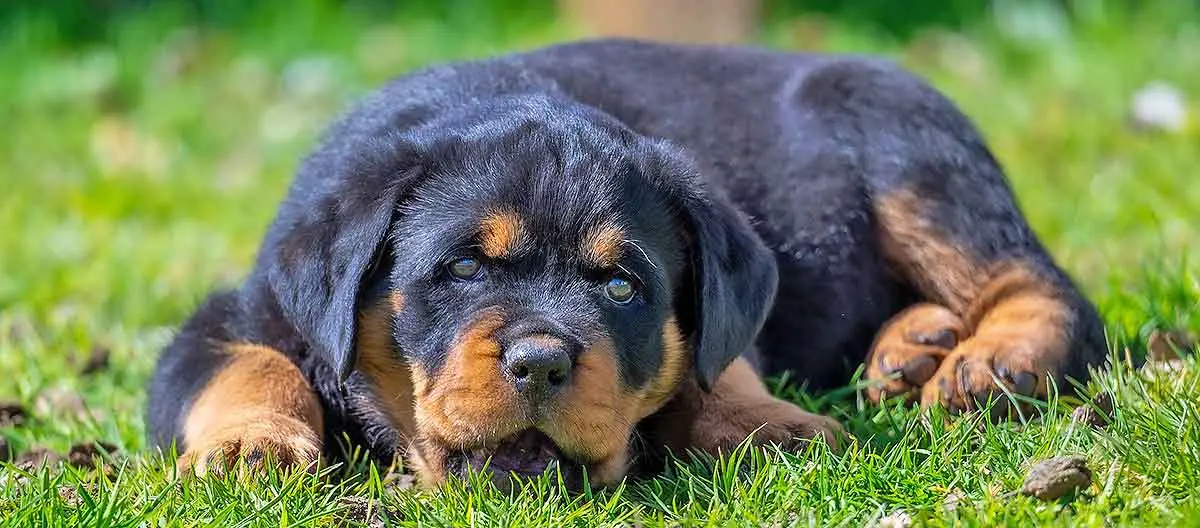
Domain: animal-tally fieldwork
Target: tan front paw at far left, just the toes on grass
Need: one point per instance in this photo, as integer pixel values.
(253, 446)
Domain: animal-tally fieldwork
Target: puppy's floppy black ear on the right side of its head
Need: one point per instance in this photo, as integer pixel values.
(733, 274)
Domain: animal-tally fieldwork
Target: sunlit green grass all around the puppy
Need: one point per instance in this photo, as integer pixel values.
(141, 172)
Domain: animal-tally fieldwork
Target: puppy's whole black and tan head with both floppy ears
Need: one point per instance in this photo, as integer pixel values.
(530, 281)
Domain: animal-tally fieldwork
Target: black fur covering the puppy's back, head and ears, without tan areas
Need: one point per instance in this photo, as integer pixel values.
(751, 181)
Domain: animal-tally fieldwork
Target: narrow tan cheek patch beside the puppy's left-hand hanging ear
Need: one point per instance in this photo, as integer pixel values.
(380, 362)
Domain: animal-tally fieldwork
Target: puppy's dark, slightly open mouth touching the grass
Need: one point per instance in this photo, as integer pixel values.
(525, 455)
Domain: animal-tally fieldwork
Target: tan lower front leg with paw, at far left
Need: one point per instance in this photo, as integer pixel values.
(257, 407)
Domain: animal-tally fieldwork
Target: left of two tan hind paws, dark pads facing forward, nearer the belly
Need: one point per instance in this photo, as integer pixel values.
(909, 351)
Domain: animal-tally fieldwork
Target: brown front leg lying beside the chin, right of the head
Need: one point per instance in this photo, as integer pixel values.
(739, 407)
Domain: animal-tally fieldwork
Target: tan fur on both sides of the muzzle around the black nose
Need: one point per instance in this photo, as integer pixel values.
(470, 403)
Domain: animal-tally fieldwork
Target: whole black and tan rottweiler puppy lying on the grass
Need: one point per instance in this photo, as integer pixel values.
(584, 257)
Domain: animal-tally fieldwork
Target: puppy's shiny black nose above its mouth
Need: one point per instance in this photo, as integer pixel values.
(538, 365)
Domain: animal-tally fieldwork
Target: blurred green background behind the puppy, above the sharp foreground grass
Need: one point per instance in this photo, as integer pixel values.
(146, 145)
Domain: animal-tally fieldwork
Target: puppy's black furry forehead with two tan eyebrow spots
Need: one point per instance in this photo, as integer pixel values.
(592, 213)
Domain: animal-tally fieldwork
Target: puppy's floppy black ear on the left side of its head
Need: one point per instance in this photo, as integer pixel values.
(329, 236)
